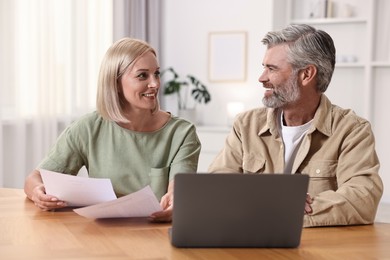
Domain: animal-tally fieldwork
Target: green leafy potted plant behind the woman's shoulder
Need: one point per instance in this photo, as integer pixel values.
(185, 88)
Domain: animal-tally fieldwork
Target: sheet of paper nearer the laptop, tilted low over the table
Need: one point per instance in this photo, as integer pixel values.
(138, 204)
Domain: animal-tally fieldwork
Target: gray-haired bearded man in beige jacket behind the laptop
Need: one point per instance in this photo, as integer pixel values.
(301, 132)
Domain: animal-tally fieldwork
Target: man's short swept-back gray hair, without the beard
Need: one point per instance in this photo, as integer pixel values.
(306, 45)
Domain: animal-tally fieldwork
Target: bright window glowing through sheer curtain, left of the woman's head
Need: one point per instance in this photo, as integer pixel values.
(51, 53)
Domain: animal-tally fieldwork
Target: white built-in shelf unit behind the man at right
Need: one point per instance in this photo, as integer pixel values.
(363, 39)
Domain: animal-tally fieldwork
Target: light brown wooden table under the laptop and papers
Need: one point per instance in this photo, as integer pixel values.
(28, 233)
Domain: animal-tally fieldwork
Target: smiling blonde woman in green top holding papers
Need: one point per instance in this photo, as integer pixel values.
(128, 139)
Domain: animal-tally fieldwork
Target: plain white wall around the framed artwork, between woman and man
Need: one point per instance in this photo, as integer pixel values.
(187, 24)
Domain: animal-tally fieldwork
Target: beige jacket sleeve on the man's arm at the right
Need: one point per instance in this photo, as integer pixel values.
(359, 186)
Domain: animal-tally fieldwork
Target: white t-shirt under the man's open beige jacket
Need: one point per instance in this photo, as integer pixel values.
(292, 138)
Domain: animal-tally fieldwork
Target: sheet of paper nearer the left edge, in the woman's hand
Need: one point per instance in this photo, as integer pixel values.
(77, 191)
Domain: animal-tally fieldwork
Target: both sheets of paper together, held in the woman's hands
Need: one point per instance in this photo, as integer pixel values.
(98, 196)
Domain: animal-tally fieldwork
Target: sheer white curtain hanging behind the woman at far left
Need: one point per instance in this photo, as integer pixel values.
(50, 53)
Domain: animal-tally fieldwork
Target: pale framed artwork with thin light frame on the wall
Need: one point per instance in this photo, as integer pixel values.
(227, 56)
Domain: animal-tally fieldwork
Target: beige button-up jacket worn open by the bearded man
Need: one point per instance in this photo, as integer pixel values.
(338, 153)
